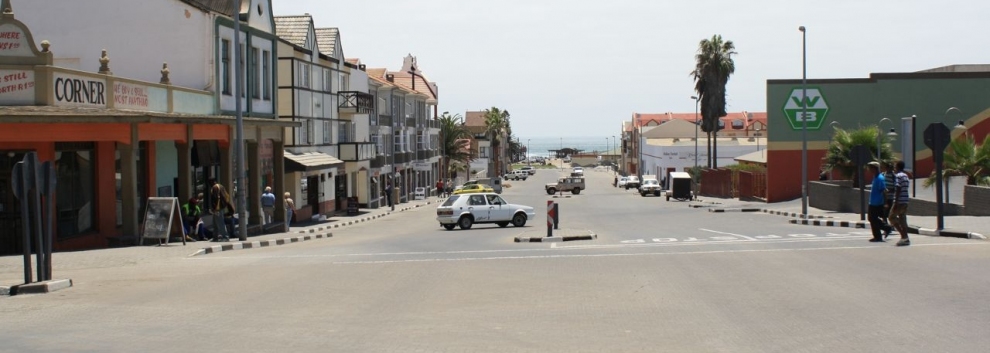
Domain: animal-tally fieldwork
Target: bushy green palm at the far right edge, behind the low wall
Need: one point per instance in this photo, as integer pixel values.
(965, 157)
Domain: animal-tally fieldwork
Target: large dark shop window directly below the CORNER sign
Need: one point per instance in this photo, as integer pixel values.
(75, 182)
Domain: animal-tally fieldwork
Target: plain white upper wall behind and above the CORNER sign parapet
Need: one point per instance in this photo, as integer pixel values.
(138, 39)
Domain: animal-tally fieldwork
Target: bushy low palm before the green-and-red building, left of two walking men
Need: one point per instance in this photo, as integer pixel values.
(837, 155)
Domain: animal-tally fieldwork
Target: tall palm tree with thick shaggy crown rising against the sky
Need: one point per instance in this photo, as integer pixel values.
(713, 66)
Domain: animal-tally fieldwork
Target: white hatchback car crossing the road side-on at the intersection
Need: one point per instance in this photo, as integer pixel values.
(467, 209)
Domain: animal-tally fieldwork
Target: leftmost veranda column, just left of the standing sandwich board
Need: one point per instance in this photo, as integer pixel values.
(128, 186)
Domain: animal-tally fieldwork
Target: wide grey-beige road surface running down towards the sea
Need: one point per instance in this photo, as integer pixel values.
(660, 277)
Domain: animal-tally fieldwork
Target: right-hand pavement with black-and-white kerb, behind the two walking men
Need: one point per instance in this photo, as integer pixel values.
(791, 210)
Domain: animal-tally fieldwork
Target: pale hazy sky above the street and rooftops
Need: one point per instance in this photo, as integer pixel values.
(576, 68)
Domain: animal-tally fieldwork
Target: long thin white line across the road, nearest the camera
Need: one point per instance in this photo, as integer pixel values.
(709, 252)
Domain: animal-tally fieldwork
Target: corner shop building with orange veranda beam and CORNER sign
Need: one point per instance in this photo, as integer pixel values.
(117, 140)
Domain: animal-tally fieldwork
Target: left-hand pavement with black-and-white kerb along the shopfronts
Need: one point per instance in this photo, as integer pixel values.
(12, 267)
